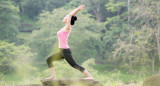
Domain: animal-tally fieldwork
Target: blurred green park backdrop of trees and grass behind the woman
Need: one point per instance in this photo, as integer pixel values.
(117, 41)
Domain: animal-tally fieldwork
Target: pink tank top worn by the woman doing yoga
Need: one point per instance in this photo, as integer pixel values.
(63, 38)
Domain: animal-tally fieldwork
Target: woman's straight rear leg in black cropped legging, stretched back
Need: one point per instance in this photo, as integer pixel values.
(68, 57)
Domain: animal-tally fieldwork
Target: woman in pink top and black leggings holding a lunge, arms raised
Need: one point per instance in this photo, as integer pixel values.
(65, 52)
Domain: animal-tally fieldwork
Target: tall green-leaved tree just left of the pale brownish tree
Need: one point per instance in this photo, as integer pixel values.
(116, 27)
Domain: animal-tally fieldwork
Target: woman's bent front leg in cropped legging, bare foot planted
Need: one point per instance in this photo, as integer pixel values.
(54, 57)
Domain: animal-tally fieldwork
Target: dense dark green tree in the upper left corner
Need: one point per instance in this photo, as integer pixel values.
(9, 20)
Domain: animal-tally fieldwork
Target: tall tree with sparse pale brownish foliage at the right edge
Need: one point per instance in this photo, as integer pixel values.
(142, 32)
